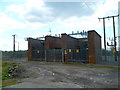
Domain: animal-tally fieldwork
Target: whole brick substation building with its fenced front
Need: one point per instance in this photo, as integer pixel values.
(70, 49)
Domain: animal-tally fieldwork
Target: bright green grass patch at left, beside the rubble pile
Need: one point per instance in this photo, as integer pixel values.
(6, 81)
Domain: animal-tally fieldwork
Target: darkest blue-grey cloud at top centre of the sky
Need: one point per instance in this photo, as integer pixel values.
(68, 9)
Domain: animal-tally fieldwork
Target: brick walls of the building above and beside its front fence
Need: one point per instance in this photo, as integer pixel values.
(92, 43)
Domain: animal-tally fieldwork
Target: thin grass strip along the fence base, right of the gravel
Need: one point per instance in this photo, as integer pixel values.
(90, 66)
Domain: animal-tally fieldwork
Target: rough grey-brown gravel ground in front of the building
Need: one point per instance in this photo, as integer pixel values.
(58, 75)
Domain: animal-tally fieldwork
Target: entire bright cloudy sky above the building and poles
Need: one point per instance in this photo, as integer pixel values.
(34, 18)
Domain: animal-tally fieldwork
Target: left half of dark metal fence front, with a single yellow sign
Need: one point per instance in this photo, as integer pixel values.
(51, 55)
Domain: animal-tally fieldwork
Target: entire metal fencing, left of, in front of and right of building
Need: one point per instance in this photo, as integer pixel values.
(60, 55)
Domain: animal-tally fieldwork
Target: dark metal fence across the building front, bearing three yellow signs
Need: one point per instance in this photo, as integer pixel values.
(60, 55)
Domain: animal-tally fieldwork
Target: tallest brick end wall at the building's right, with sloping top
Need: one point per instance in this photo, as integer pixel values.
(94, 47)
